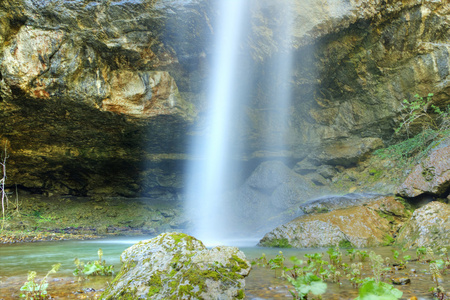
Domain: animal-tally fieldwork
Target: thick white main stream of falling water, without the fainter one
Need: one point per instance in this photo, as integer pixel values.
(210, 174)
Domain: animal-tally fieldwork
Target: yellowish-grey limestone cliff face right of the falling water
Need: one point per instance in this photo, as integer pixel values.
(354, 63)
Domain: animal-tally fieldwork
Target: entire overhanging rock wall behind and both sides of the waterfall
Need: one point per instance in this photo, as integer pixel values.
(103, 97)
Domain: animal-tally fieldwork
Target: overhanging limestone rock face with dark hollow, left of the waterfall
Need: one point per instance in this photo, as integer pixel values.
(90, 103)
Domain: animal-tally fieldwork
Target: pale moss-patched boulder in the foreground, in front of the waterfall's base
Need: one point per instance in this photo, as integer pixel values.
(178, 266)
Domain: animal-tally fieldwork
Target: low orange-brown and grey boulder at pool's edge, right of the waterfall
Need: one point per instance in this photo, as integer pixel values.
(362, 226)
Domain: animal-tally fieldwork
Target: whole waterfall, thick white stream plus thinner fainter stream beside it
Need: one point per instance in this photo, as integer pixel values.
(217, 149)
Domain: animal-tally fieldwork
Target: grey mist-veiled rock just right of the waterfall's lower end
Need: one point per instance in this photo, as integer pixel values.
(270, 190)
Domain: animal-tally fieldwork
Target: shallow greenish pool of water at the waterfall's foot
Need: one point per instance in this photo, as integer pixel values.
(17, 259)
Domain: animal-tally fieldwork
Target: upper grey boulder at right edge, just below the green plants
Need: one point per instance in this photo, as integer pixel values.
(432, 175)
